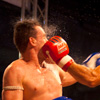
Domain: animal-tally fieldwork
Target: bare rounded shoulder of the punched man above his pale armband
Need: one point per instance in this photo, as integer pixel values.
(14, 73)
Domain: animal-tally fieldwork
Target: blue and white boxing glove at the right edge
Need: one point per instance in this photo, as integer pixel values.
(93, 60)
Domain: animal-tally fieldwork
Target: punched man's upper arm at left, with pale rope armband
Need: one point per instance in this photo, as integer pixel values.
(12, 77)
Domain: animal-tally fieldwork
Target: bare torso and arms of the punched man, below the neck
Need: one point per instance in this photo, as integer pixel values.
(39, 83)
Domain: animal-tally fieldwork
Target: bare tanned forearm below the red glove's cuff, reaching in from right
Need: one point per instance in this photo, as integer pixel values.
(85, 75)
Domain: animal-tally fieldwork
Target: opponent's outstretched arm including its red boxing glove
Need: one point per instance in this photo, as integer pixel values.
(58, 52)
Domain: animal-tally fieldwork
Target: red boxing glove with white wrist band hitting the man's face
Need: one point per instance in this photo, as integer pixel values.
(57, 49)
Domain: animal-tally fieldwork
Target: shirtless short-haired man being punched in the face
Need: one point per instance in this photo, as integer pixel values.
(33, 77)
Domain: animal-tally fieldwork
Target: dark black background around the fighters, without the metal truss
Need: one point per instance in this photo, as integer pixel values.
(77, 21)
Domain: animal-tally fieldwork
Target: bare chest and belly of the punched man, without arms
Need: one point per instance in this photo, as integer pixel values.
(41, 84)
